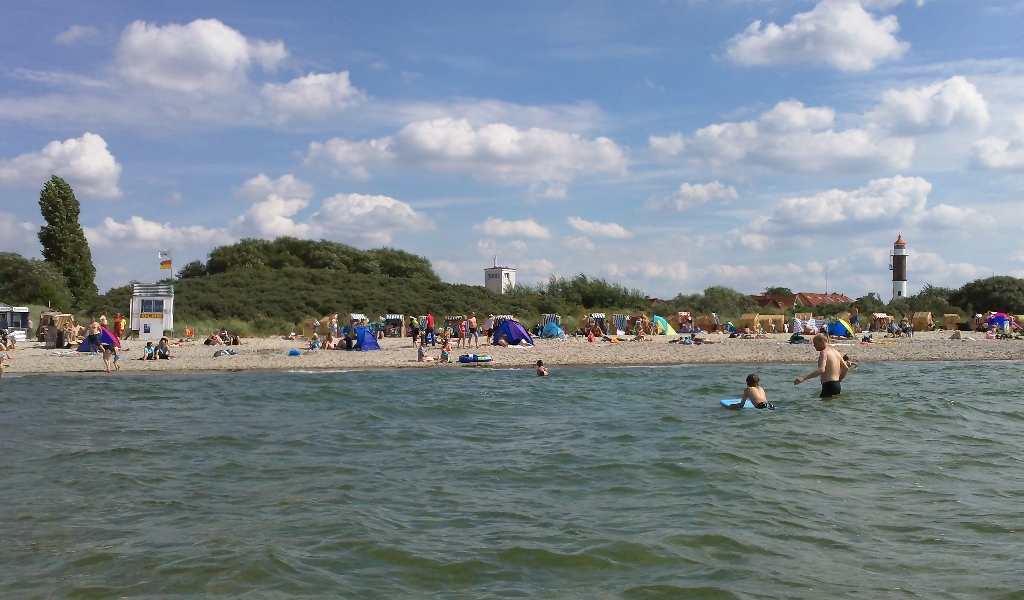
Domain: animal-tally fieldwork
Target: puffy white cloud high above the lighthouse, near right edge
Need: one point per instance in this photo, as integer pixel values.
(942, 106)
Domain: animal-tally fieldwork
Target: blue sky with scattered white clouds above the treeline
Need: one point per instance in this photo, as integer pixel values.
(666, 146)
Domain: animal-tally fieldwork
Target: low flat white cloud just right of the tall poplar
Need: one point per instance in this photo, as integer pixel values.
(139, 233)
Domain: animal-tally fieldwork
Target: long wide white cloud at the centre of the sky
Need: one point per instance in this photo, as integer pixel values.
(496, 152)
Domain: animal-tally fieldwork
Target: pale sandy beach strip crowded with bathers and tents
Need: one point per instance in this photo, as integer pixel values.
(272, 354)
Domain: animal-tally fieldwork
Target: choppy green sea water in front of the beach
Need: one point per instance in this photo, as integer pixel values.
(475, 483)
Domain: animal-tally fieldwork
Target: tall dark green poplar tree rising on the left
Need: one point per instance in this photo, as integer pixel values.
(64, 241)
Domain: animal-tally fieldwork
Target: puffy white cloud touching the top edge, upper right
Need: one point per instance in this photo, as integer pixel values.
(839, 33)
